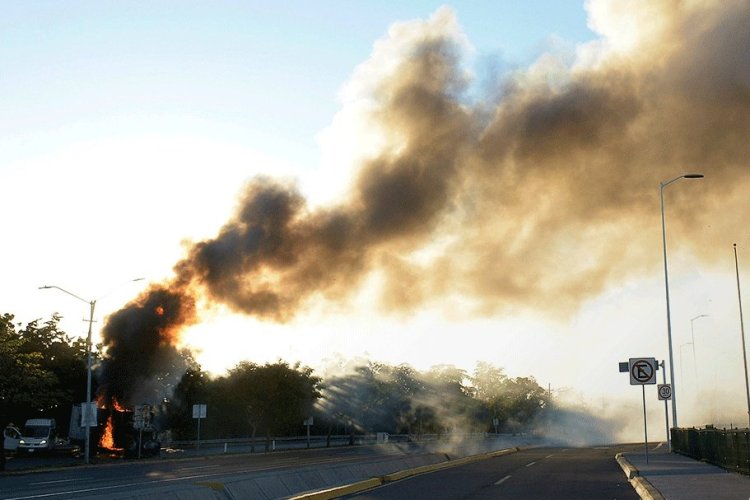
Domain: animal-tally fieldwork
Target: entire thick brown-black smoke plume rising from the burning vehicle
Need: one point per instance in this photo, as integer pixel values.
(539, 194)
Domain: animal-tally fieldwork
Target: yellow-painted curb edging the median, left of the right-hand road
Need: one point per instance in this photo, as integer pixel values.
(347, 489)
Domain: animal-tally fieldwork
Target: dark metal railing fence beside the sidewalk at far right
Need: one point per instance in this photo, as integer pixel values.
(729, 449)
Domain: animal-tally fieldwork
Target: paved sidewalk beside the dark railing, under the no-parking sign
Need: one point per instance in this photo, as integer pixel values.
(681, 478)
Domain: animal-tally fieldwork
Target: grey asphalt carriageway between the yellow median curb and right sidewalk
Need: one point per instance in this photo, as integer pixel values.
(559, 473)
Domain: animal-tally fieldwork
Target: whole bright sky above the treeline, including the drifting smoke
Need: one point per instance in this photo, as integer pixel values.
(432, 183)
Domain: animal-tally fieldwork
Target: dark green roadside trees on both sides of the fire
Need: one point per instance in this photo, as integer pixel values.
(43, 373)
